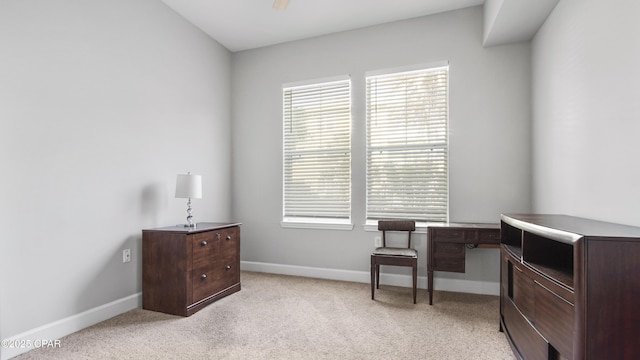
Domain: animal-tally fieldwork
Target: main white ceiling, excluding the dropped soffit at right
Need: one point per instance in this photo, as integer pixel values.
(247, 24)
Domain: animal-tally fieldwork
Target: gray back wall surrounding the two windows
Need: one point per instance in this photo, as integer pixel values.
(489, 136)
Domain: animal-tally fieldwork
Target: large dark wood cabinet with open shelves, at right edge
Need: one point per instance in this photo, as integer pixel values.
(570, 287)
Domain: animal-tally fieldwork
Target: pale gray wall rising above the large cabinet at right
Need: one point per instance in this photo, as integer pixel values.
(586, 113)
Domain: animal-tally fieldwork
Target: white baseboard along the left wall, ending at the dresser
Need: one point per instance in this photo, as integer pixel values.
(39, 336)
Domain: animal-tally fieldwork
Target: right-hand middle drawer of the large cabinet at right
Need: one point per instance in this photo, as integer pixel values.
(554, 319)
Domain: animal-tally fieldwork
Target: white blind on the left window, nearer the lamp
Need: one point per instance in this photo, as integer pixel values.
(317, 151)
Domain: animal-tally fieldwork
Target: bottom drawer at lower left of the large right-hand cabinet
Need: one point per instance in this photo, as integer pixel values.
(531, 345)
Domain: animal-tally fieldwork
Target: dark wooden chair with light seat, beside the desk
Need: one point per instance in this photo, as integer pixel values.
(394, 255)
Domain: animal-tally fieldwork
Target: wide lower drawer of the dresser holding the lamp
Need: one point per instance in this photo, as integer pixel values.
(211, 279)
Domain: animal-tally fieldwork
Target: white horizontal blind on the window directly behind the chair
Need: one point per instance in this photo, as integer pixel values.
(407, 167)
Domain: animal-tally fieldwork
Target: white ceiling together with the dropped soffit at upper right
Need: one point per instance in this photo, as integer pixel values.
(246, 24)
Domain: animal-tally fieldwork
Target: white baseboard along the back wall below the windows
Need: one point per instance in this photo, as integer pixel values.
(455, 285)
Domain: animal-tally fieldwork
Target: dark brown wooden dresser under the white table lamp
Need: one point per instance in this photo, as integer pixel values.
(185, 269)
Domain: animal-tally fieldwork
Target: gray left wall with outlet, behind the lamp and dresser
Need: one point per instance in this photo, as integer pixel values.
(102, 103)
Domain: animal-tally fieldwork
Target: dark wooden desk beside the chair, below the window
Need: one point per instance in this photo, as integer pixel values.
(447, 243)
